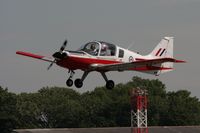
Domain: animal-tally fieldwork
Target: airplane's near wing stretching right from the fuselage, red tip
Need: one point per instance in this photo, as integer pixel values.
(130, 65)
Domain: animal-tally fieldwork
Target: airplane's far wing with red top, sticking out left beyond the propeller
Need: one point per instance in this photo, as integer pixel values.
(48, 59)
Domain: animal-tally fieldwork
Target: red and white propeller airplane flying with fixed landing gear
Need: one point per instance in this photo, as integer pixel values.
(103, 57)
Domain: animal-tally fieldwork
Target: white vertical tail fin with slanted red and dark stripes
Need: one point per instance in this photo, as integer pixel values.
(164, 49)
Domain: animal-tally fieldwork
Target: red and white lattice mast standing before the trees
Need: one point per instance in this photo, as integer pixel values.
(139, 111)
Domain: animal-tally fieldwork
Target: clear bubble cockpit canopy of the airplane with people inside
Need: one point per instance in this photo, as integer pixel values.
(99, 49)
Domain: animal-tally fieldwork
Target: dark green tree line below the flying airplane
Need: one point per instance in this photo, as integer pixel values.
(57, 107)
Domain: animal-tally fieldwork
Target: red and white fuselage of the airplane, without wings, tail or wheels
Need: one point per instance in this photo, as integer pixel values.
(83, 59)
